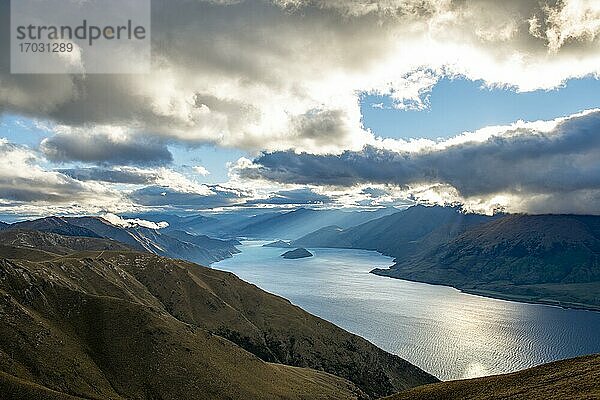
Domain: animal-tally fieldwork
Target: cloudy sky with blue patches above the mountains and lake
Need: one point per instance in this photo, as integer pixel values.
(285, 103)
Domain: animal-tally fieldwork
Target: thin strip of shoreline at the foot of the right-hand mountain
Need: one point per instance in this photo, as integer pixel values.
(501, 295)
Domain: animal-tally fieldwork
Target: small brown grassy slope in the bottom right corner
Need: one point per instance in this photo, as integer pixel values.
(577, 378)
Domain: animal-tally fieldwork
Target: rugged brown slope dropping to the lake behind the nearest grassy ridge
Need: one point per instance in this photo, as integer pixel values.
(270, 326)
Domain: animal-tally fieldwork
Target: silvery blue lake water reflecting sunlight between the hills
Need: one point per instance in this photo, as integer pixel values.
(445, 332)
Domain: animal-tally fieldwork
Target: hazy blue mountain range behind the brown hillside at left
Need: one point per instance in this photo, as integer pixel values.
(200, 249)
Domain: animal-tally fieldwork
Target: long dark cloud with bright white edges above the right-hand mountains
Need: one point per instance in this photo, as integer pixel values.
(544, 166)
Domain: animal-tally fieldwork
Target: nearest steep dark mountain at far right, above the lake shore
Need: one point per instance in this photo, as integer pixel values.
(546, 258)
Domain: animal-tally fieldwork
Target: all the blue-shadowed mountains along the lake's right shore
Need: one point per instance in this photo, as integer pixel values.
(543, 258)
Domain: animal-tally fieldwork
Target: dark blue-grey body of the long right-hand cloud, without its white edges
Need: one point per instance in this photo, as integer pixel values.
(522, 161)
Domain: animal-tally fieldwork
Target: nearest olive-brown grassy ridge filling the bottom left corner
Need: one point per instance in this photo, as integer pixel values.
(104, 347)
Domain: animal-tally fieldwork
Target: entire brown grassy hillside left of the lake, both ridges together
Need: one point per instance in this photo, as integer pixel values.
(104, 324)
